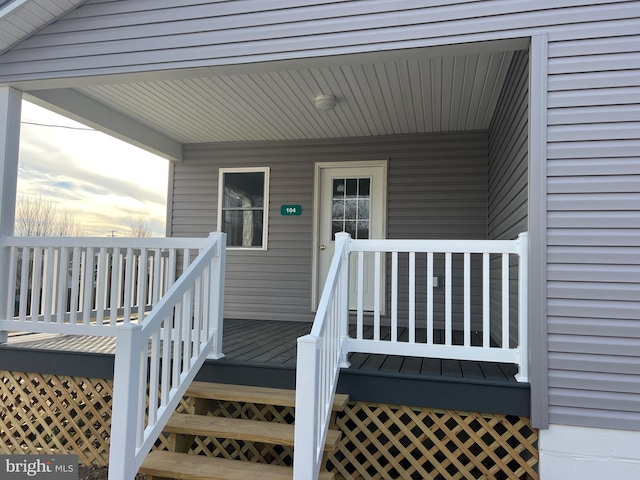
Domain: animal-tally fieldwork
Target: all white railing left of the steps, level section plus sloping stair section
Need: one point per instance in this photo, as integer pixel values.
(125, 288)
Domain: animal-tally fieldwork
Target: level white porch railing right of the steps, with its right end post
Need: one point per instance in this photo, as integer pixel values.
(481, 293)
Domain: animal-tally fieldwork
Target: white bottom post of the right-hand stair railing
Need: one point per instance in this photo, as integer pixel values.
(307, 409)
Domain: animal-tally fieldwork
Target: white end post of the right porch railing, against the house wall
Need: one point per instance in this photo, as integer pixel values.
(523, 307)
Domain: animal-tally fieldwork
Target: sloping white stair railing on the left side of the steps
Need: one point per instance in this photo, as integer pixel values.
(156, 360)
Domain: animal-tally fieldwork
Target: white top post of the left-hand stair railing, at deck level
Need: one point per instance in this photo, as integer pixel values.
(216, 294)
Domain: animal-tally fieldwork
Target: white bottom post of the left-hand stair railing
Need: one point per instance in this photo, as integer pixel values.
(125, 414)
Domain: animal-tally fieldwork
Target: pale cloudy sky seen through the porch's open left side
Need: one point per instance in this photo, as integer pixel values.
(104, 182)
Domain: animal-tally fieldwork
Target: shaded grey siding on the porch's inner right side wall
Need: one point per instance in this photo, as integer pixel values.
(508, 183)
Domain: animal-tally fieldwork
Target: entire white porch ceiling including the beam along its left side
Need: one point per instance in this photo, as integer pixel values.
(425, 90)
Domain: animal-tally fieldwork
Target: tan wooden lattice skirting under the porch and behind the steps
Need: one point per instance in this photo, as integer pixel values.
(57, 414)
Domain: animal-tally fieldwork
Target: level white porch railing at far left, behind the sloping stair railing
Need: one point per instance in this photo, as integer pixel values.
(87, 286)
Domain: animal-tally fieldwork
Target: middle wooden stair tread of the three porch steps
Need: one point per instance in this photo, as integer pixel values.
(240, 429)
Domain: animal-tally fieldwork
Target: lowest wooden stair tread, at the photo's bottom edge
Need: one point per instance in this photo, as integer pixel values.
(198, 467)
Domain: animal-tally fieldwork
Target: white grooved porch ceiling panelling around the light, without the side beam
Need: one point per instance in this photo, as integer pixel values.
(398, 96)
